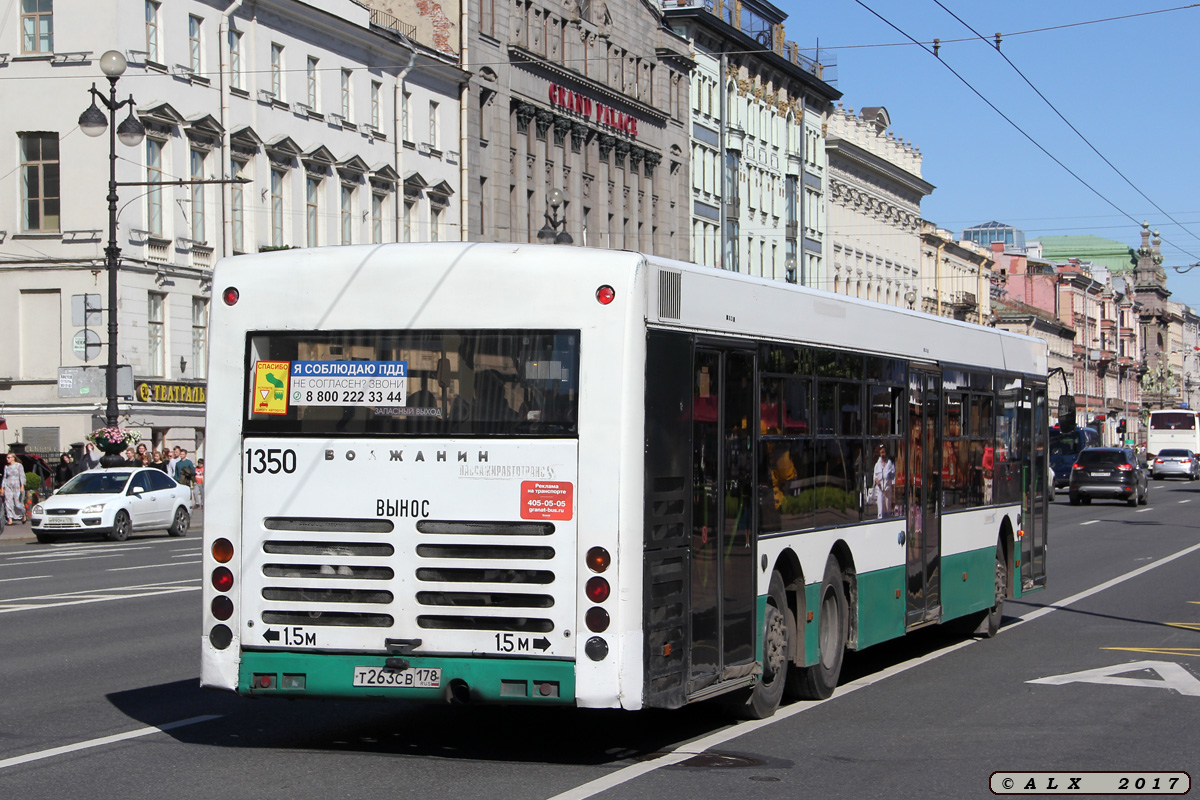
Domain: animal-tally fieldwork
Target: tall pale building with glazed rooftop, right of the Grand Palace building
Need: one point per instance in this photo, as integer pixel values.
(758, 147)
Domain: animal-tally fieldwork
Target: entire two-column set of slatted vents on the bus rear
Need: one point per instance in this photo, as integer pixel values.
(471, 575)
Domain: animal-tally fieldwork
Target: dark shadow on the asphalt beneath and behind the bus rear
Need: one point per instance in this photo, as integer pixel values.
(397, 729)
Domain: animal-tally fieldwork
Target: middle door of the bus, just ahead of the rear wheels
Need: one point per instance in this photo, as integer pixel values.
(923, 479)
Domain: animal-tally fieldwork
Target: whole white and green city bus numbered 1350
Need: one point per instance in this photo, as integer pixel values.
(547, 476)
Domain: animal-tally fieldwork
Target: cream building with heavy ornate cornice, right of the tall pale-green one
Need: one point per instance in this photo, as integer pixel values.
(875, 193)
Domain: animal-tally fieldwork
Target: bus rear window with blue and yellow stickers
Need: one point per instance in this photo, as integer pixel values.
(425, 383)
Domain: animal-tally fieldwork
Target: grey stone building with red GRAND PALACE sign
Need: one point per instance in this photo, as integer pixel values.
(586, 98)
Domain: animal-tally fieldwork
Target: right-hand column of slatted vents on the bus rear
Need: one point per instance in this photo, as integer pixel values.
(503, 575)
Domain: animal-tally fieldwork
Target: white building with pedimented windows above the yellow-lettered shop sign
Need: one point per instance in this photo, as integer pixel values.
(303, 103)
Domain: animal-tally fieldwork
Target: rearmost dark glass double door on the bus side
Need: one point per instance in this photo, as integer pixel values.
(723, 543)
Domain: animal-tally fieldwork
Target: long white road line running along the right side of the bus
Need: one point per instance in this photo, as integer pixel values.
(692, 749)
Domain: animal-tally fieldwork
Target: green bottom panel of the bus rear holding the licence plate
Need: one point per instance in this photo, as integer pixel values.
(427, 679)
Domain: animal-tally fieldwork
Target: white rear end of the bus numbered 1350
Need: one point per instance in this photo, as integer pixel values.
(398, 467)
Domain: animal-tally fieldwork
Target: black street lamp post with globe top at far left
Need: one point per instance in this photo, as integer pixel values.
(131, 133)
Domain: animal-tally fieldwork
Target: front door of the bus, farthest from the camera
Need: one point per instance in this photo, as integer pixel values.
(1034, 431)
